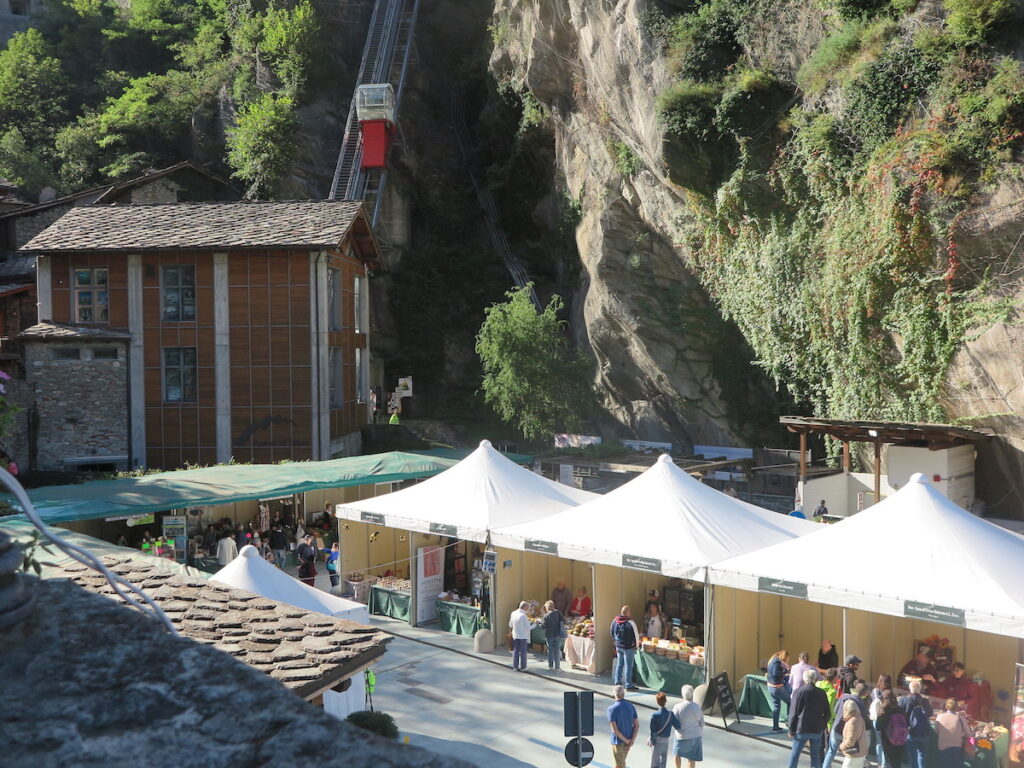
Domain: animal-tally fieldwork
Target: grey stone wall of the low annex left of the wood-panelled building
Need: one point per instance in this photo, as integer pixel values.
(82, 405)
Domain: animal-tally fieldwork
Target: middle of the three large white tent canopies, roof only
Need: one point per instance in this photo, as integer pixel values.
(664, 521)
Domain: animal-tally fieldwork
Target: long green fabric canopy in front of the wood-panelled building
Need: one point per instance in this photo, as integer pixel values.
(223, 485)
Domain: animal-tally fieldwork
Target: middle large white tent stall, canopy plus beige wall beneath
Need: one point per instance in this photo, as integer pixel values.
(656, 534)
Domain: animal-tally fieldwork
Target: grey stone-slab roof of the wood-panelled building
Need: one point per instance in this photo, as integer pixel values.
(199, 226)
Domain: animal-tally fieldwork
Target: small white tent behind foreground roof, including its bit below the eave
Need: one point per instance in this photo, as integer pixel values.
(250, 572)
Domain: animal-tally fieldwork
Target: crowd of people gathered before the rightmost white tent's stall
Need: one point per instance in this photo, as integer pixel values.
(836, 713)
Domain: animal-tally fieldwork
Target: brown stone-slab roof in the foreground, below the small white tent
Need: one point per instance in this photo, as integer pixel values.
(307, 652)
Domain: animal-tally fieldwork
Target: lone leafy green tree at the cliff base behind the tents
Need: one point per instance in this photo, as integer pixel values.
(532, 378)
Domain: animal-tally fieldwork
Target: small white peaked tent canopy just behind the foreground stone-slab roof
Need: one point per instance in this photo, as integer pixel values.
(252, 573)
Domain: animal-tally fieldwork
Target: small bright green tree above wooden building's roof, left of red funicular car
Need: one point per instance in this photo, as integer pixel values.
(263, 143)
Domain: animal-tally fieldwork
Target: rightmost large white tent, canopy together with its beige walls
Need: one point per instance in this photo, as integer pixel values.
(794, 595)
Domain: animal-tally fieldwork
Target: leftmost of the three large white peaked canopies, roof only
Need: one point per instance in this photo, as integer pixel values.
(483, 492)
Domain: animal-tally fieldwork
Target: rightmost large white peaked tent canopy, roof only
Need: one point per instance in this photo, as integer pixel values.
(950, 567)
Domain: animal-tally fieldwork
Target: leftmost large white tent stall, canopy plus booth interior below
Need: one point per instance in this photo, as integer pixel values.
(454, 514)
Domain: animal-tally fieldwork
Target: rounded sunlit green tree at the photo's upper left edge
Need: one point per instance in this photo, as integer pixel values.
(33, 89)
